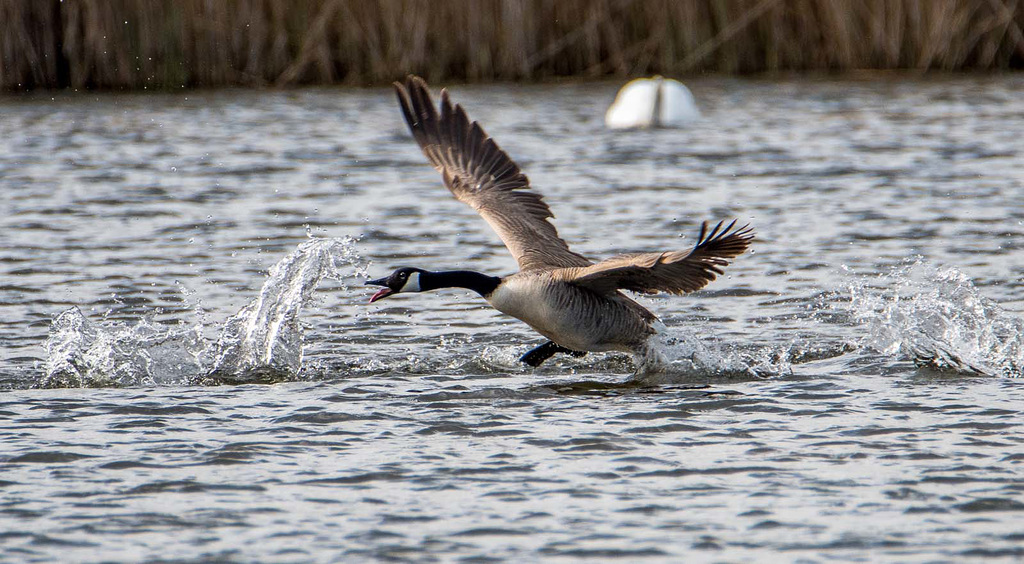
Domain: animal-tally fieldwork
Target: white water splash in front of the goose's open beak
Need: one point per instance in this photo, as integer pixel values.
(261, 343)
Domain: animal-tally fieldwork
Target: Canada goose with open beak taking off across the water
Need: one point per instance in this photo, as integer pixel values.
(577, 305)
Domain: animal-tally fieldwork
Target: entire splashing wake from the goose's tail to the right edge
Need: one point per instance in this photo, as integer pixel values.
(934, 317)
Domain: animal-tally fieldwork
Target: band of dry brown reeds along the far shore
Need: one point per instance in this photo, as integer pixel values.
(173, 45)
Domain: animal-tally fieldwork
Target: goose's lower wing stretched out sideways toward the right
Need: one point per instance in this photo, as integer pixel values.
(676, 273)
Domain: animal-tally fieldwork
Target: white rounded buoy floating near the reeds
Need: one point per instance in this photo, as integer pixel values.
(656, 102)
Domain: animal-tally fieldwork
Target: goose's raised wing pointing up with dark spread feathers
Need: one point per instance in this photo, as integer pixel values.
(481, 175)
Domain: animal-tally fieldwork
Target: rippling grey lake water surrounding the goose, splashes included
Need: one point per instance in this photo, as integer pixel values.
(192, 372)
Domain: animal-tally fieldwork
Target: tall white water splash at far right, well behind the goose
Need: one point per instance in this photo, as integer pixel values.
(938, 320)
